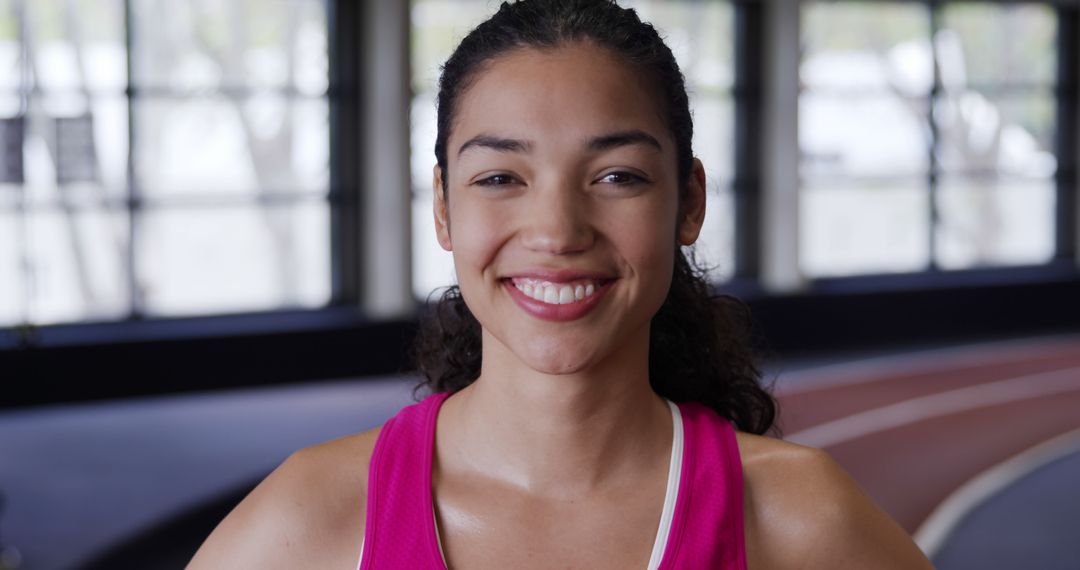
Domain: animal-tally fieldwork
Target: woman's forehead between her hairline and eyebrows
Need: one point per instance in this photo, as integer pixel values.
(570, 92)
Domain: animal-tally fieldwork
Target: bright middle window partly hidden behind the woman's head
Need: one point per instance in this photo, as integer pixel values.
(701, 35)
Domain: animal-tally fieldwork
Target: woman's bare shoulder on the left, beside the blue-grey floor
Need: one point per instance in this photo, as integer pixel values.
(309, 513)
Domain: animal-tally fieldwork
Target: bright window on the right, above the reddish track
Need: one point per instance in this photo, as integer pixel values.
(927, 137)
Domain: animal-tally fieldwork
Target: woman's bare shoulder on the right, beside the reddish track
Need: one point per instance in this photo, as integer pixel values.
(804, 511)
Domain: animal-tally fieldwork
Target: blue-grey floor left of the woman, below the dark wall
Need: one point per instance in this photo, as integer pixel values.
(79, 479)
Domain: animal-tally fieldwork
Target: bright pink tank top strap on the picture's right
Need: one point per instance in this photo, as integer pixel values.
(708, 526)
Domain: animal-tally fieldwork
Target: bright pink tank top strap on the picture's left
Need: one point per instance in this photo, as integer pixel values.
(401, 526)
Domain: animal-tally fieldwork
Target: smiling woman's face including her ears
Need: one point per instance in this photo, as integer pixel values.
(563, 208)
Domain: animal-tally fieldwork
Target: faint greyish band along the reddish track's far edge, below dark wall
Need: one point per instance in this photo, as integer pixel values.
(867, 371)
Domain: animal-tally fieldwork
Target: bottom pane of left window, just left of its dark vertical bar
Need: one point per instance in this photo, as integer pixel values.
(77, 260)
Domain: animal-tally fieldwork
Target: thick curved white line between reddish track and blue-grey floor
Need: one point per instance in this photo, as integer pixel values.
(936, 532)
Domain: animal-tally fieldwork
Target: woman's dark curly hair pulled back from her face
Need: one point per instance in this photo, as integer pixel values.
(699, 345)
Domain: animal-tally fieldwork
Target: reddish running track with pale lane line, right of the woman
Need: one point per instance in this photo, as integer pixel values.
(915, 429)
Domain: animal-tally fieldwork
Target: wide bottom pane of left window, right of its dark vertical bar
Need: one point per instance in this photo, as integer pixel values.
(247, 257)
